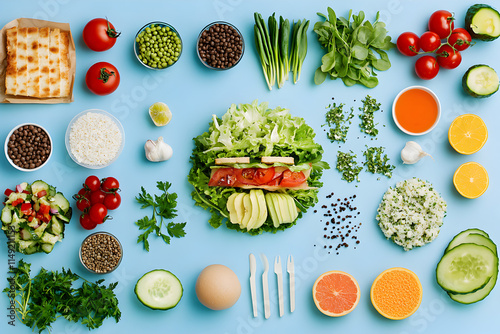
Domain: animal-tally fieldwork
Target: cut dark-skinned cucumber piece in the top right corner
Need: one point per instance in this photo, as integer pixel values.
(483, 22)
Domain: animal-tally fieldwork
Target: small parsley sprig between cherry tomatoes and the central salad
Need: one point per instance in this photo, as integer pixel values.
(164, 206)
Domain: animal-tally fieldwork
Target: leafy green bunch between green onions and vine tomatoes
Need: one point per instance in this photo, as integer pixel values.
(351, 49)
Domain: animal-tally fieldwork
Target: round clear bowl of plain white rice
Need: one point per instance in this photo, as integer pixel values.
(94, 138)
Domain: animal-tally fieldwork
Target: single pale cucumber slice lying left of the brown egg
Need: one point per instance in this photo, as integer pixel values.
(159, 289)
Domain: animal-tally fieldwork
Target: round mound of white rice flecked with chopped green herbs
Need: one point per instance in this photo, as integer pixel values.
(411, 213)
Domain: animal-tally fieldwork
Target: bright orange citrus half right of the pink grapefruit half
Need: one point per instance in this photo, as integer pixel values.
(396, 293)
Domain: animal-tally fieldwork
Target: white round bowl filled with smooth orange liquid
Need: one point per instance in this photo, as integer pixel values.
(416, 110)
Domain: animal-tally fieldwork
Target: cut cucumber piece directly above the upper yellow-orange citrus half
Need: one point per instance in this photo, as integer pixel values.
(480, 81)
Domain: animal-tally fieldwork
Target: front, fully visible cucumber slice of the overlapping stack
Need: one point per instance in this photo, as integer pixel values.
(466, 268)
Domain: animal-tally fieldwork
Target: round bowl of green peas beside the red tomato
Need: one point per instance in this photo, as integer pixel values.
(158, 45)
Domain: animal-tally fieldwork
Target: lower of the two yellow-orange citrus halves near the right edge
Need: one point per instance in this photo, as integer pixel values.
(471, 180)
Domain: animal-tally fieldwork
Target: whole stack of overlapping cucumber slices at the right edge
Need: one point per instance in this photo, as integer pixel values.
(468, 270)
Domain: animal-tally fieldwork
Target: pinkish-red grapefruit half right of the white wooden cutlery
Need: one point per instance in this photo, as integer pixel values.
(336, 293)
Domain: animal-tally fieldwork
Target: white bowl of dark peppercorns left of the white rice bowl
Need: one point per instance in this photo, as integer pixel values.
(28, 147)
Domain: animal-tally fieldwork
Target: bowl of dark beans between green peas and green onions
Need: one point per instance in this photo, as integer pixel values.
(220, 46)
